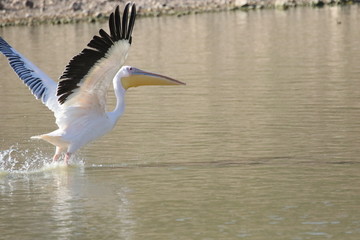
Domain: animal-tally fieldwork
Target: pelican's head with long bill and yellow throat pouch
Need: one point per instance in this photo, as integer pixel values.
(134, 77)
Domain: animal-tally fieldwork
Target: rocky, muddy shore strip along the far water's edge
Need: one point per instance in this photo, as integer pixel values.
(32, 12)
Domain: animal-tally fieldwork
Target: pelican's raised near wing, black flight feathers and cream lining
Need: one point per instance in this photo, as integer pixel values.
(89, 74)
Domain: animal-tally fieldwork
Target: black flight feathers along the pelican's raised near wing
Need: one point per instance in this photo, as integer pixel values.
(82, 63)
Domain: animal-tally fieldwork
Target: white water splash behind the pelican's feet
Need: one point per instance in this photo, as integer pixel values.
(17, 160)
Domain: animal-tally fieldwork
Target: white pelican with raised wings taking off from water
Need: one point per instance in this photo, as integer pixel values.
(78, 99)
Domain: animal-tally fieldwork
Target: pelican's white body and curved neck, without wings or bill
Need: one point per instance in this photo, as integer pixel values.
(80, 124)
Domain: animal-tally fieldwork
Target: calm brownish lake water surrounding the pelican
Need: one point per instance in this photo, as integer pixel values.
(262, 143)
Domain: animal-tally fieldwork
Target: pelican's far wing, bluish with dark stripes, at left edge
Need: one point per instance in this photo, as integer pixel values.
(41, 86)
